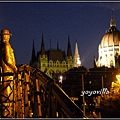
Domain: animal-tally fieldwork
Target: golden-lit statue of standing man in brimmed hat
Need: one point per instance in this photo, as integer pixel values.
(8, 65)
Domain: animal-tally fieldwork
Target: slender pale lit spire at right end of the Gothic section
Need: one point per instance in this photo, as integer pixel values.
(77, 61)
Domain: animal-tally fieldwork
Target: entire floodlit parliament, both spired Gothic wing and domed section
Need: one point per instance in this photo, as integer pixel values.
(56, 61)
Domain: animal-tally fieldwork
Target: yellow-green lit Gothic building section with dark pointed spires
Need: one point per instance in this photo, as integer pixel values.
(55, 61)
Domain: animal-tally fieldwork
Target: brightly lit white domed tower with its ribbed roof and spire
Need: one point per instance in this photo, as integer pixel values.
(109, 48)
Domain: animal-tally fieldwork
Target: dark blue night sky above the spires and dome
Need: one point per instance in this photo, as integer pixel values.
(85, 22)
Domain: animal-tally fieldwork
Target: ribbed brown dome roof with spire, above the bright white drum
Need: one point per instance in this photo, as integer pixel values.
(112, 35)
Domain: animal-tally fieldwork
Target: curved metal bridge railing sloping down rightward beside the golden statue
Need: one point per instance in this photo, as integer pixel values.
(37, 96)
